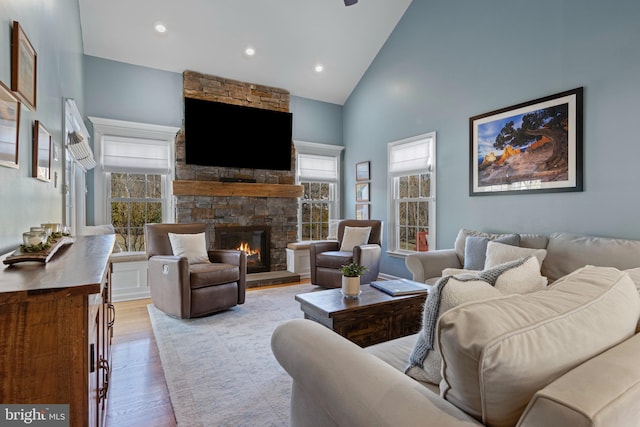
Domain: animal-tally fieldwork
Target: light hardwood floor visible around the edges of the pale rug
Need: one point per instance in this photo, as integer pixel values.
(138, 395)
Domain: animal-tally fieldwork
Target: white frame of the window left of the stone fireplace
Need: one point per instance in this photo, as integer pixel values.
(117, 128)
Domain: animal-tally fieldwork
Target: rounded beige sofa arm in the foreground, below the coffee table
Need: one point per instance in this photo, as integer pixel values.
(338, 383)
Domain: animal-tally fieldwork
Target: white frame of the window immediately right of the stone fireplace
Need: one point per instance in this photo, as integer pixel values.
(325, 150)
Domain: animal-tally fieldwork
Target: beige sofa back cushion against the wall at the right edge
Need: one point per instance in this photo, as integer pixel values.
(567, 252)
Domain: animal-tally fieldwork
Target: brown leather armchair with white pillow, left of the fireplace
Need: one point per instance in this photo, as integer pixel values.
(186, 279)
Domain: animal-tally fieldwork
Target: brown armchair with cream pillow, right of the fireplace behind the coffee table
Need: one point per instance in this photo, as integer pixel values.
(355, 244)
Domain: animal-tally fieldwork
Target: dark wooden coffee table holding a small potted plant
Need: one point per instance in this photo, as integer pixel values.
(373, 318)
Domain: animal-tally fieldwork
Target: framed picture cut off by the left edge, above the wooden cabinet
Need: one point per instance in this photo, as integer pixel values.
(9, 127)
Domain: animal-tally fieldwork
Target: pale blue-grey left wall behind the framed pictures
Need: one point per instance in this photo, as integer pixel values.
(54, 31)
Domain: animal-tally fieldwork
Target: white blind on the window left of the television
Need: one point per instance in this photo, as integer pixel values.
(137, 155)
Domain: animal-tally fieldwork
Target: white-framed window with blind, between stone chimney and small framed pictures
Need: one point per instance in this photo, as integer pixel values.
(318, 171)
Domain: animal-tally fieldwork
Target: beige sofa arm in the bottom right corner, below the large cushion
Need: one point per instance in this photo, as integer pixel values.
(604, 391)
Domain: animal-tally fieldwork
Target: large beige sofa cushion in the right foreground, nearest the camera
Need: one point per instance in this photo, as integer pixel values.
(497, 353)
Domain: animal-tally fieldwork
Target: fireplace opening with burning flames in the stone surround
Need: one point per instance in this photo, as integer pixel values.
(254, 240)
